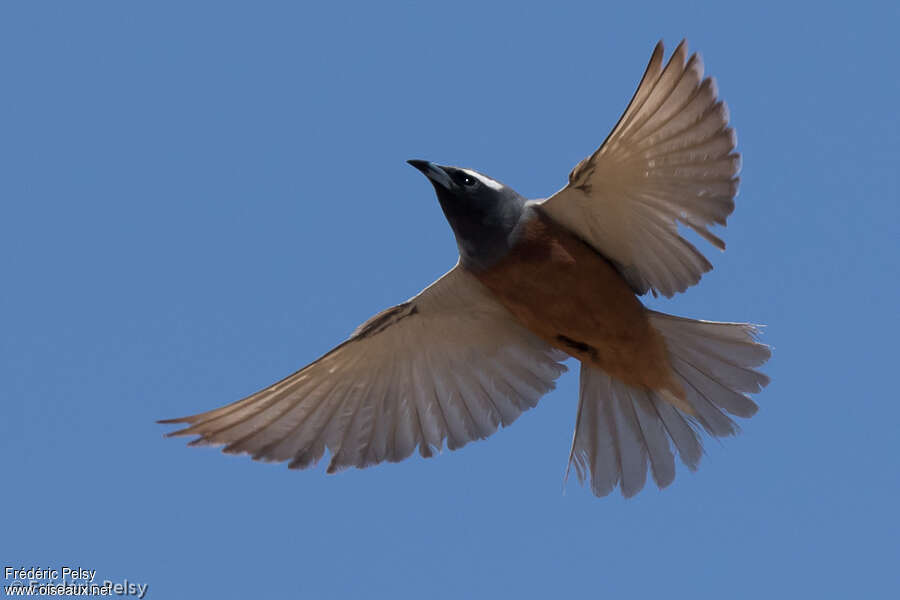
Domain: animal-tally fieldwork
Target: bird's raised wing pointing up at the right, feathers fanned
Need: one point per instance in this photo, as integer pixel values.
(669, 159)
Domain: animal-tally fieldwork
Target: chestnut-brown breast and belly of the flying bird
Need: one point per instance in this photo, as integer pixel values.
(565, 292)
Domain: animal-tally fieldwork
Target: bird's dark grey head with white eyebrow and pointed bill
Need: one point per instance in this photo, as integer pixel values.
(483, 212)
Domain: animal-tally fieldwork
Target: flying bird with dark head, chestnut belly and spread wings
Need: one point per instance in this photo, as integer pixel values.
(539, 282)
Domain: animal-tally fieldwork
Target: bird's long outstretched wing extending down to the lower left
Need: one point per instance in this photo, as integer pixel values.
(450, 363)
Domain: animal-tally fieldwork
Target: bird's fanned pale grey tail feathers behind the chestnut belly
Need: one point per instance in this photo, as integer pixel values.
(620, 428)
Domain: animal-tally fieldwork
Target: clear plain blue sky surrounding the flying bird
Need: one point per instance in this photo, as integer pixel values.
(198, 198)
